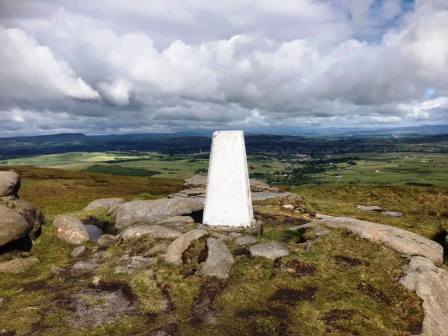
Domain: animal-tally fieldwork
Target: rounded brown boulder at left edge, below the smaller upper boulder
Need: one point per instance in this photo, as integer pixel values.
(12, 225)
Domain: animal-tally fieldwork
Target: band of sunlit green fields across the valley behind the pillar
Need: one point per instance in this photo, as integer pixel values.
(415, 169)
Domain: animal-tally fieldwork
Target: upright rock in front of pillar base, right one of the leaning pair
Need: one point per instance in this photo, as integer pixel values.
(219, 260)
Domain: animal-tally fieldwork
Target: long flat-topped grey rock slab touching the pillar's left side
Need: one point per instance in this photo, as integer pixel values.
(152, 211)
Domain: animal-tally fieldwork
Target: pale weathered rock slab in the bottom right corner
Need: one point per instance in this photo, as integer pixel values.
(431, 284)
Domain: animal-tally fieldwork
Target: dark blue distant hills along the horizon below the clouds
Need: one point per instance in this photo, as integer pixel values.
(431, 139)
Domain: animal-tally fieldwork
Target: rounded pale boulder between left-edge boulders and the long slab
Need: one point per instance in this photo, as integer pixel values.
(70, 229)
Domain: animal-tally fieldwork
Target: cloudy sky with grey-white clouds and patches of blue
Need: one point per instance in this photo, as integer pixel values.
(129, 66)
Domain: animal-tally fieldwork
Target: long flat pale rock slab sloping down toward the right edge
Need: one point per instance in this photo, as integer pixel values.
(400, 240)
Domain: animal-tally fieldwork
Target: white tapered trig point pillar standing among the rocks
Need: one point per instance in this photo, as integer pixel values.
(228, 201)
